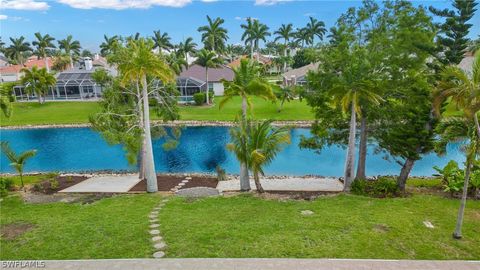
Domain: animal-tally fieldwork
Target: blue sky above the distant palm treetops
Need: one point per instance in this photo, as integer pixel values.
(89, 20)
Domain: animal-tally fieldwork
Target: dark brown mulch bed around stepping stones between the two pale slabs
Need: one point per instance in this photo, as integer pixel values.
(167, 182)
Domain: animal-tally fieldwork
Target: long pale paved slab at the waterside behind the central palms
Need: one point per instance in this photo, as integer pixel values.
(288, 184)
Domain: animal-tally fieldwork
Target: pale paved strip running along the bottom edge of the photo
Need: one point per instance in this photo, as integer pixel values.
(256, 264)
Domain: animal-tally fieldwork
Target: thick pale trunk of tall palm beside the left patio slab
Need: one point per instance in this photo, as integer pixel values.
(148, 161)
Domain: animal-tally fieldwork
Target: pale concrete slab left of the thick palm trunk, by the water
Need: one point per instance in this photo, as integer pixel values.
(106, 184)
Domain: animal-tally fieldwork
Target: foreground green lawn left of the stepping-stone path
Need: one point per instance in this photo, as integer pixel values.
(110, 228)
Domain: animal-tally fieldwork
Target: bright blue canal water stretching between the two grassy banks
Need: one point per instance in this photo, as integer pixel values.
(201, 149)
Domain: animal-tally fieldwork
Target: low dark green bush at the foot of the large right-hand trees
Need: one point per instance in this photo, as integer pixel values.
(381, 188)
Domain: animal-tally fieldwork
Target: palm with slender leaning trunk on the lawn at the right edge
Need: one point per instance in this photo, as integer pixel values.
(464, 91)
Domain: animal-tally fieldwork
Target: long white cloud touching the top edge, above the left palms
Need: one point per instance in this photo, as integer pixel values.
(123, 4)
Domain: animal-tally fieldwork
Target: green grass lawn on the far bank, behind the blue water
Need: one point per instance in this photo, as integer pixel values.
(76, 112)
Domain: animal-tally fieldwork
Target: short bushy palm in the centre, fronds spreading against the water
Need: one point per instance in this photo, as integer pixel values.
(263, 143)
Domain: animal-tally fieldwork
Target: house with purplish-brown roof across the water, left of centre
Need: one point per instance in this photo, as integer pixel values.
(193, 80)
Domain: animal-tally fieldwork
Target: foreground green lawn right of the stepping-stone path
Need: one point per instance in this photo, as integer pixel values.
(343, 226)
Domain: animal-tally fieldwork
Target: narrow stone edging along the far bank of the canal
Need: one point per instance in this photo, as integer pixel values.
(299, 124)
